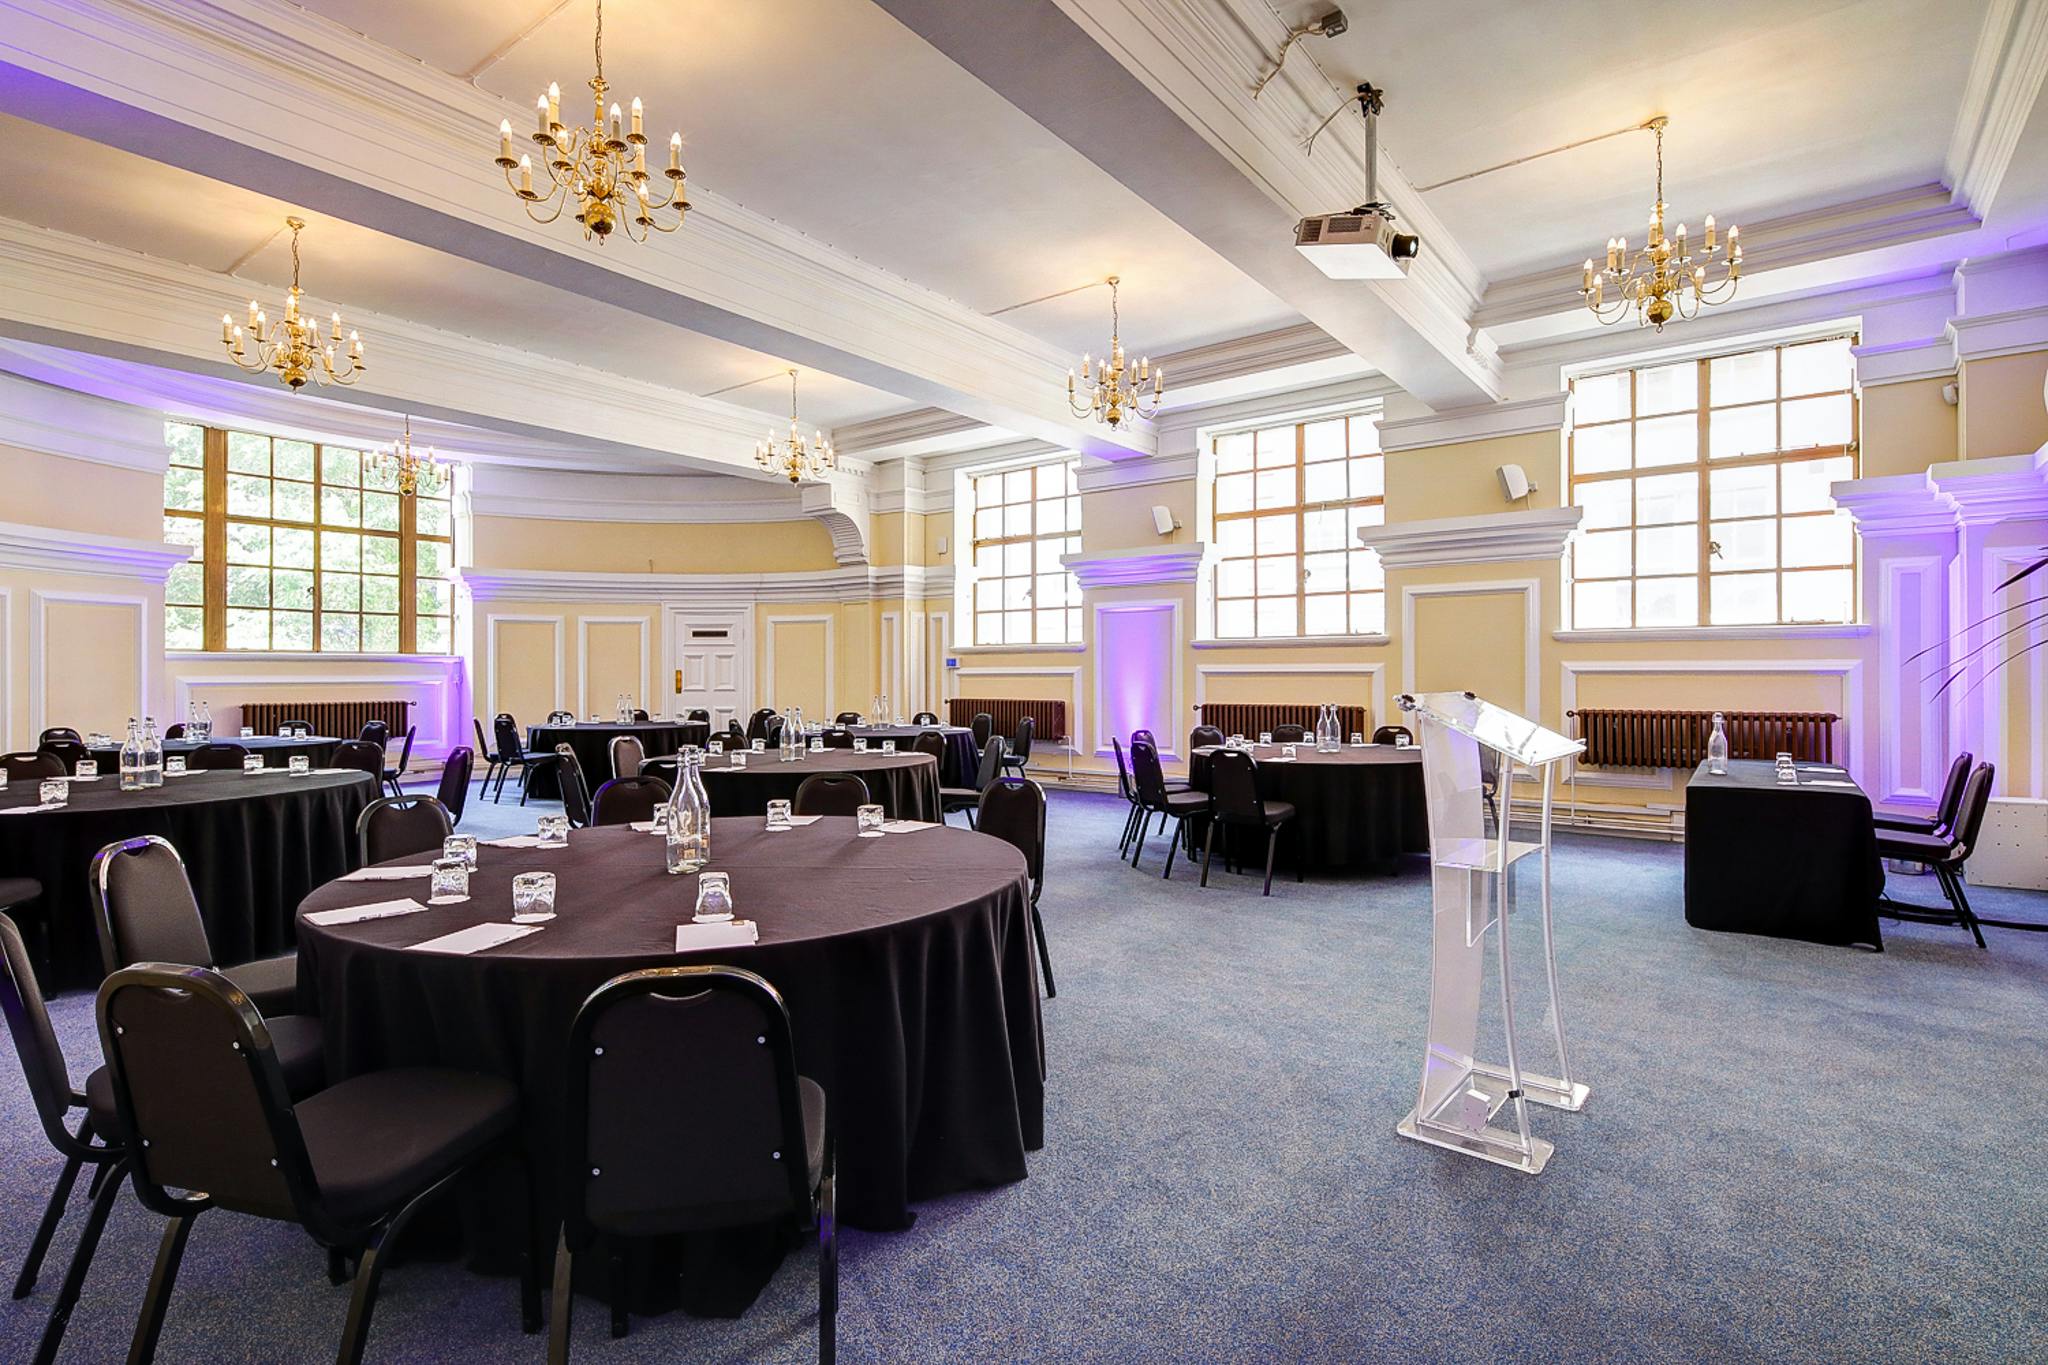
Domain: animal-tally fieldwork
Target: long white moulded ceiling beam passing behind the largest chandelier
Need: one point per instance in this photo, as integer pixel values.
(286, 103)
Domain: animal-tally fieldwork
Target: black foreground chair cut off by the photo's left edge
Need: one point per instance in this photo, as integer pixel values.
(89, 1141)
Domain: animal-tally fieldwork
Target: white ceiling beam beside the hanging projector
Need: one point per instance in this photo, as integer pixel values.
(1158, 93)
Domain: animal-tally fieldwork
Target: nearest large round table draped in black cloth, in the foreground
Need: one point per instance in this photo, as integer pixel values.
(906, 963)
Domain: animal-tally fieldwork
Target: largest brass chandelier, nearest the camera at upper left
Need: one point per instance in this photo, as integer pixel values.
(601, 169)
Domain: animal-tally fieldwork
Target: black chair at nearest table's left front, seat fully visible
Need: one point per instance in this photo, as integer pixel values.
(196, 1067)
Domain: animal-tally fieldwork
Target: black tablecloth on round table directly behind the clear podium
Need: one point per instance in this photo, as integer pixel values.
(1361, 807)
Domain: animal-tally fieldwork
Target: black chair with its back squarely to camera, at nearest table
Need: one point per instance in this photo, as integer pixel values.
(644, 1155)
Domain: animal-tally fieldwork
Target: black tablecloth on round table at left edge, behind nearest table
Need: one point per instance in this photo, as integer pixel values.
(251, 844)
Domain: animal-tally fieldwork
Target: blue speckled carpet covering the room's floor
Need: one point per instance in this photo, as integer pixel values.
(1793, 1153)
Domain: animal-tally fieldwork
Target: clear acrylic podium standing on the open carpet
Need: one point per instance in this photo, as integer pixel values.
(1471, 752)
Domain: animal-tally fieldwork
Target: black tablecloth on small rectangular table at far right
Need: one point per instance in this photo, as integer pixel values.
(1795, 863)
